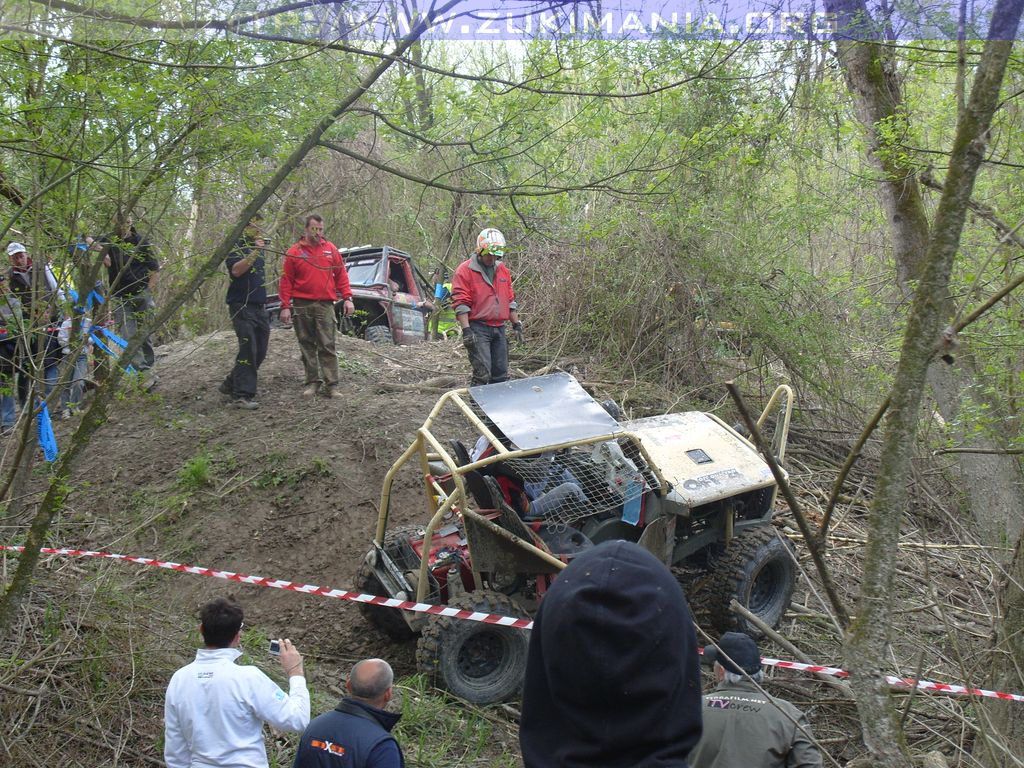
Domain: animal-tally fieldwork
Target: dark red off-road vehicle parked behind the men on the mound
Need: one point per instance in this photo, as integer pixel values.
(390, 294)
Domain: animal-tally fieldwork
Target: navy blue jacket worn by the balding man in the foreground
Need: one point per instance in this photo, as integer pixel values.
(353, 736)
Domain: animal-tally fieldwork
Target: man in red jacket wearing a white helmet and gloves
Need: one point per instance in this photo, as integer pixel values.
(482, 293)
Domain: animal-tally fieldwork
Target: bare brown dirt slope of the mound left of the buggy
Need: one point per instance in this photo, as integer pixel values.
(293, 489)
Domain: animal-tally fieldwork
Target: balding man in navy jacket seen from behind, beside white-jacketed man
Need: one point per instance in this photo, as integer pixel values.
(358, 733)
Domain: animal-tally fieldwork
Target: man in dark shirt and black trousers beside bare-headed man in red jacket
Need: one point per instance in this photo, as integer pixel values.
(247, 305)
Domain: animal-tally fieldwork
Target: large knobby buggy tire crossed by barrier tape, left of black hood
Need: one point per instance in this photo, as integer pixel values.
(480, 663)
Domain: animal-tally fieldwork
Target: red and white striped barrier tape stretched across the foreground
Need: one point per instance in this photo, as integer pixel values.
(444, 611)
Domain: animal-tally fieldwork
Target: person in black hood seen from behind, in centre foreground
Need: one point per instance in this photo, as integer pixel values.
(613, 676)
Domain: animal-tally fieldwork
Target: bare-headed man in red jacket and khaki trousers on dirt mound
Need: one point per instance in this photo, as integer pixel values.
(313, 280)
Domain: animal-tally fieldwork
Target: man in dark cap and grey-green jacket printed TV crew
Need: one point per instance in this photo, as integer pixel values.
(743, 726)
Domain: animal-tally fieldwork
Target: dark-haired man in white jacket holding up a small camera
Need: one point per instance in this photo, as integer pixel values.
(216, 710)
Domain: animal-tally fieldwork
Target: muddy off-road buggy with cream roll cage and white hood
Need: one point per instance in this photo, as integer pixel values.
(520, 478)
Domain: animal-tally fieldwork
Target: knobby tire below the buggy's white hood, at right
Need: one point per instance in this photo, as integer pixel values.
(757, 570)
